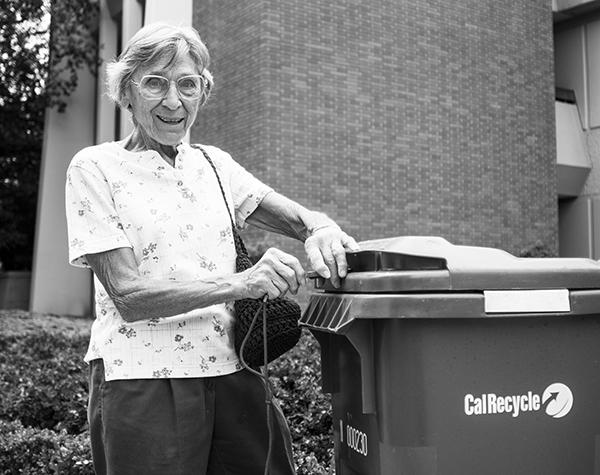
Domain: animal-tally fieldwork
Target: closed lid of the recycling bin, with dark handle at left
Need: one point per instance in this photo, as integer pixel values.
(430, 263)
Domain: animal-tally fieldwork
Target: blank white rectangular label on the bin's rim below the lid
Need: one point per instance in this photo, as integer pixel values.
(526, 301)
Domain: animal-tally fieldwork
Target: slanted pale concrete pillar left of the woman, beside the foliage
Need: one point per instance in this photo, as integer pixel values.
(57, 287)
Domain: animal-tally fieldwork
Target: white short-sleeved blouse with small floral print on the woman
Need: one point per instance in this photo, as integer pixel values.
(174, 219)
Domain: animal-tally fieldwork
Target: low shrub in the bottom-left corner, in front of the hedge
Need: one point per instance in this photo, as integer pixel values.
(34, 451)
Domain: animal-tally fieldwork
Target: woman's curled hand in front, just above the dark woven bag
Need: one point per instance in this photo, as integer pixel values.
(273, 275)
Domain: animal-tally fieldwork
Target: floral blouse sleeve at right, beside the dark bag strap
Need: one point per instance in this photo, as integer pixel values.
(247, 191)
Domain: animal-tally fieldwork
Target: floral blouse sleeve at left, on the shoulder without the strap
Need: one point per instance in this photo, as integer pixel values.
(93, 224)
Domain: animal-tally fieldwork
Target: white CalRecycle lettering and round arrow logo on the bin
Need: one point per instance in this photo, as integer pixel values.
(556, 401)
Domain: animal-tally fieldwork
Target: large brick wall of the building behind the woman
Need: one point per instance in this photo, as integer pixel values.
(394, 117)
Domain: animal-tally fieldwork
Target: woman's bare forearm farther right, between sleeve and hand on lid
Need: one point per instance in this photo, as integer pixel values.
(279, 214)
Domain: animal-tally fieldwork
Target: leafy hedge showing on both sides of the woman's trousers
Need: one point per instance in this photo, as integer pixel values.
(43, 383)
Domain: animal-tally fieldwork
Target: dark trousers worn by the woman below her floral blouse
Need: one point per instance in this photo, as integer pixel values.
(199, 426)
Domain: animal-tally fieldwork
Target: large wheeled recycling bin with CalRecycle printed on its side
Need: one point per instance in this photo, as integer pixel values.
(459, 360)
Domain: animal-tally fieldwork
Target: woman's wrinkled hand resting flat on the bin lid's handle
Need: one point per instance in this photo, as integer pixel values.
(326, 250)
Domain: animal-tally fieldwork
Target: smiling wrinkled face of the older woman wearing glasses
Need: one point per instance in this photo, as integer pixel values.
(164, 121)
